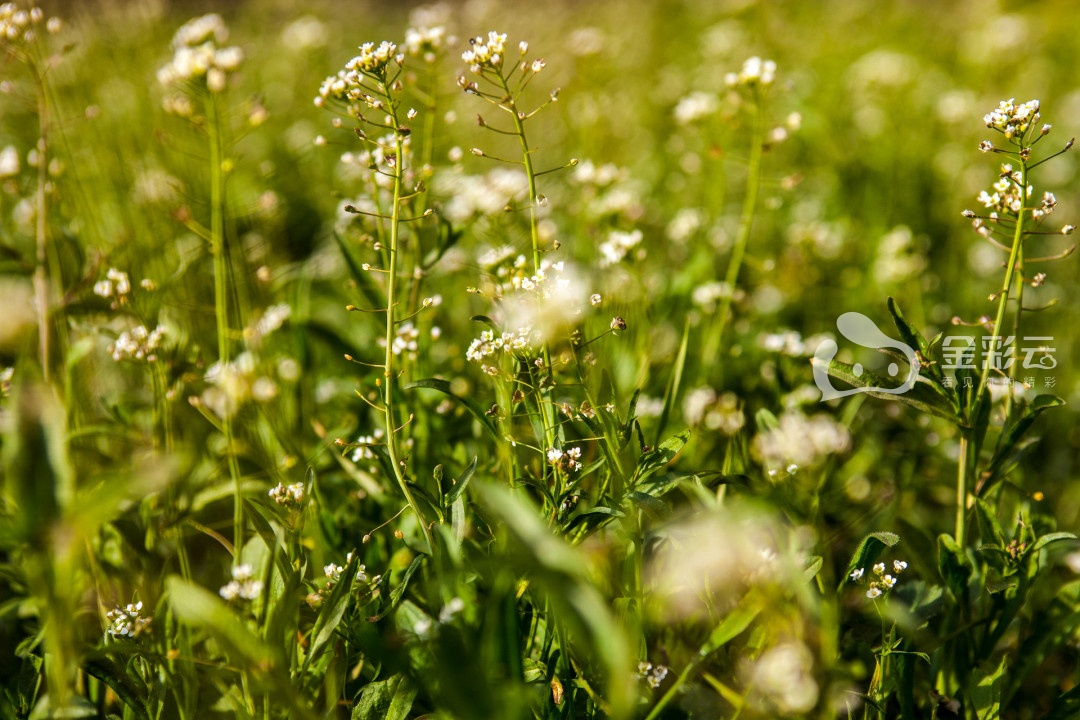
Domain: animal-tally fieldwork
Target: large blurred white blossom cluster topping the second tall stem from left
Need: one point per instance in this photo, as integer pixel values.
(197, 57)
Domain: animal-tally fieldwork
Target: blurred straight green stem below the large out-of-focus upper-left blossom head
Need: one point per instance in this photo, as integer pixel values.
(222, 307)
